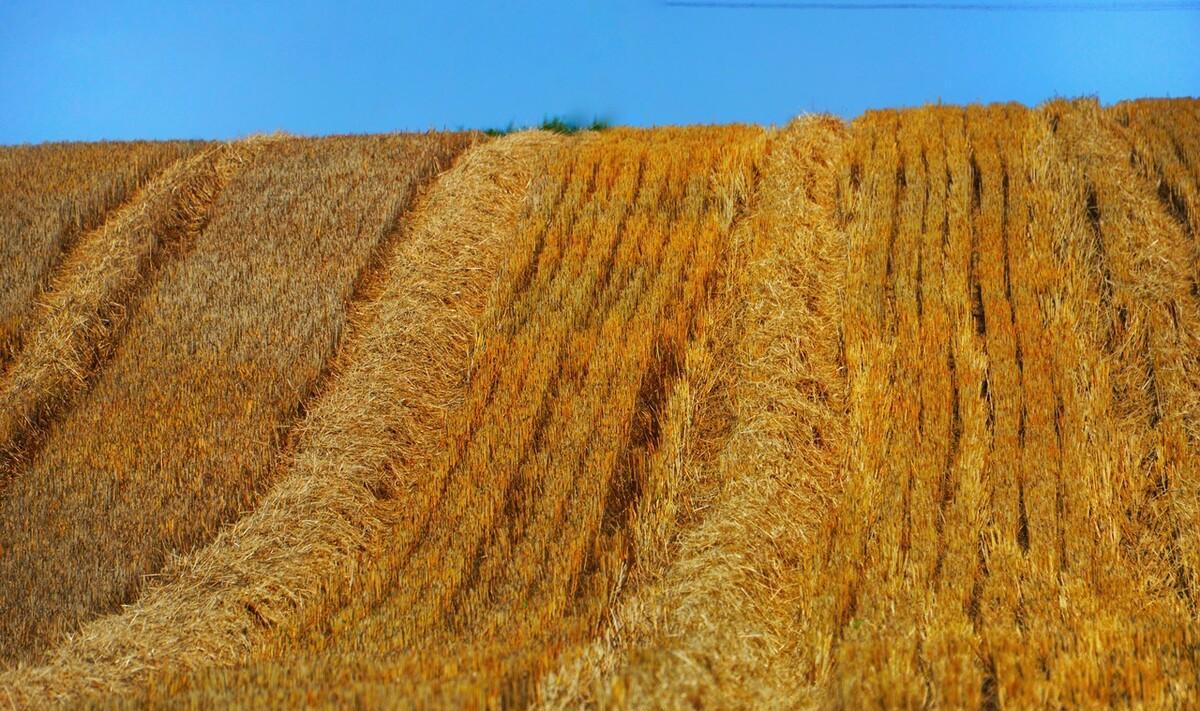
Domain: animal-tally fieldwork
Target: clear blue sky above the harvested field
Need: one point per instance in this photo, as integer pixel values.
(178, 70)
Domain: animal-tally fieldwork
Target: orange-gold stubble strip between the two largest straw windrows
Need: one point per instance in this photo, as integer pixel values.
(523, 529)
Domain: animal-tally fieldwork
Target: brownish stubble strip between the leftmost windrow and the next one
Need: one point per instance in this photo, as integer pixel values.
(181, 432)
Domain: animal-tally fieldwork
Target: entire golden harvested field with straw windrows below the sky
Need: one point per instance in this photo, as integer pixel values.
(893, 413)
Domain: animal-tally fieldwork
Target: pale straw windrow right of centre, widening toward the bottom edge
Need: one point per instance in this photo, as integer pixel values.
(717, 606)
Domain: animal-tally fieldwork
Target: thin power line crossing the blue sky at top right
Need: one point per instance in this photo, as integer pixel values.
(940, 7)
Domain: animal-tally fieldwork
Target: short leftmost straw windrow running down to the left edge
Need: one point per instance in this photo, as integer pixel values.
(77, 324)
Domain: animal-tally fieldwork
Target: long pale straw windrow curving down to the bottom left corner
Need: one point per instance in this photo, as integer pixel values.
(380, 417)
